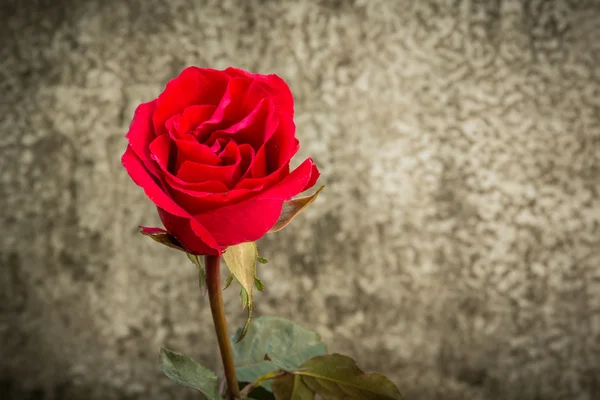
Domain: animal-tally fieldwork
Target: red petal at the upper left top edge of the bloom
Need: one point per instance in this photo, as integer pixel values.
(194, 86)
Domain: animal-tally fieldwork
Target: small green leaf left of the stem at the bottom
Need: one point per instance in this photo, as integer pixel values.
(183, 370)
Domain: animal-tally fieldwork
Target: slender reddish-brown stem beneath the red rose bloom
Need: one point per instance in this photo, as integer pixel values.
(213, 283)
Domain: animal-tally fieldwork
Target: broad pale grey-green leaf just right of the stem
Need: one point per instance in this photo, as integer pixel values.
(286, 342)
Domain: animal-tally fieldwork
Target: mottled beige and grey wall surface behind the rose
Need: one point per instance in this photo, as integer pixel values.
(455, 248)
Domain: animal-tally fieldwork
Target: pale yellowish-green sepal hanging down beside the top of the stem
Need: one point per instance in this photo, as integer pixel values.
(241, 261)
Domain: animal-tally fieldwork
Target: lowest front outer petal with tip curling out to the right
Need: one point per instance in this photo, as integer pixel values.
(249, 220)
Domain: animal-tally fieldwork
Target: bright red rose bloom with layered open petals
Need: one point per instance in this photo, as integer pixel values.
(213, 151)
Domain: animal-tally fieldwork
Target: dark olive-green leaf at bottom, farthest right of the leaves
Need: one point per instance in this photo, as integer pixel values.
(335, 376)
